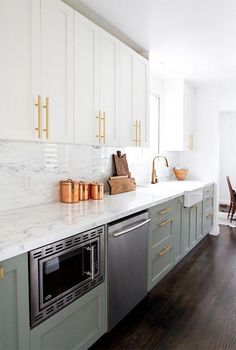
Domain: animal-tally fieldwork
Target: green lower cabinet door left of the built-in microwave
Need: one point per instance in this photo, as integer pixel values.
(14, 304)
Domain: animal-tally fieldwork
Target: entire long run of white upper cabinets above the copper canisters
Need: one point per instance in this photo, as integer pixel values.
(63, 79)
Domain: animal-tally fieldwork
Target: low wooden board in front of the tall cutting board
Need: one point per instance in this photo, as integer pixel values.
(120, 184)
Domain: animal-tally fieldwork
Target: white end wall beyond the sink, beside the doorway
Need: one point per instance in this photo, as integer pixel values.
(203, 163)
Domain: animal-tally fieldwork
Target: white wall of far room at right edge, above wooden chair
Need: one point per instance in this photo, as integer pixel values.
(227, 154)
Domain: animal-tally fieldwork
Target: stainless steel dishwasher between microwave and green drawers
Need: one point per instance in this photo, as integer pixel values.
(127, 265)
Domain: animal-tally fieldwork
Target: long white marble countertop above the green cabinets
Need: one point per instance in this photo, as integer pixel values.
(22, 230)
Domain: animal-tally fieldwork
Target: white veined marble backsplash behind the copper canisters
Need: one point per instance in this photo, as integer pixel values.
(30, 172)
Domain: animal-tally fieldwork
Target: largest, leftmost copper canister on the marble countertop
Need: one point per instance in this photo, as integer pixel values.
(69, 191)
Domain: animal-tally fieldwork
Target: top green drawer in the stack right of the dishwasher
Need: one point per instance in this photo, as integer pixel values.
(161, 211)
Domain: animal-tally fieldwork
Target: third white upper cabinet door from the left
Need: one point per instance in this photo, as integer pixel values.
(86, 81)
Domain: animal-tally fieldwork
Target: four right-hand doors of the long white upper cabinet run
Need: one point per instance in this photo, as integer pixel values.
(111, 89)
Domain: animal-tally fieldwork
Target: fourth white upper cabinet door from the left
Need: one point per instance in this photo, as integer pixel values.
(109, 88)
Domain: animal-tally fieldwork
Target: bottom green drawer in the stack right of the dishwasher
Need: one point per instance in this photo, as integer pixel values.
(160, 262)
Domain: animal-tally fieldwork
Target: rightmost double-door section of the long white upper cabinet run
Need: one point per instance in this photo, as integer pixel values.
(133, 98)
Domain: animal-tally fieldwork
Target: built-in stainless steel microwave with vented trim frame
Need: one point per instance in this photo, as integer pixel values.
(63, 271)
